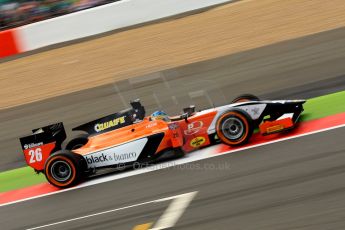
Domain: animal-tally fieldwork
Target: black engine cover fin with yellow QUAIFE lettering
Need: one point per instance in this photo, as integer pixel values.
(115, 121)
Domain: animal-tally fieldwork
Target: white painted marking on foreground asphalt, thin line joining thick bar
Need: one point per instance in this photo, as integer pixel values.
(167, 220)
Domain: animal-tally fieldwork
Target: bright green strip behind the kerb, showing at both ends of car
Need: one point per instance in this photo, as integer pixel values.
(313, 109)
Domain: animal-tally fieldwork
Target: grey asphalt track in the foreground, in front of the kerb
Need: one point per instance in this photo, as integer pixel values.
(294, 184)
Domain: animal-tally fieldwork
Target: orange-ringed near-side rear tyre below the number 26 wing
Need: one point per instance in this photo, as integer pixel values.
(64, 169)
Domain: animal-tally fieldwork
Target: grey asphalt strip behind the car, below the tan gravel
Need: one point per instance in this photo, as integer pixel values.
(300, 68)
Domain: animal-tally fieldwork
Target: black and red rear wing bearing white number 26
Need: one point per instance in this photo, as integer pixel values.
(38, 146)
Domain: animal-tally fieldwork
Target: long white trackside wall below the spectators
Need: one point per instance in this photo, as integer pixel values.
(104, 18)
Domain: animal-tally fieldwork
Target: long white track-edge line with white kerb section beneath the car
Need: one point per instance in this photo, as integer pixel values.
(195, 156)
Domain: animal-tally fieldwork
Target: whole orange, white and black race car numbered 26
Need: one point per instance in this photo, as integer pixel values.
(129, 137)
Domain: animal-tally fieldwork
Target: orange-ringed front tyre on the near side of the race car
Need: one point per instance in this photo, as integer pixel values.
(234, 127)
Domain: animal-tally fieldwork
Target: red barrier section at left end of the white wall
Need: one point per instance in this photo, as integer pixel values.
(8, 43)
